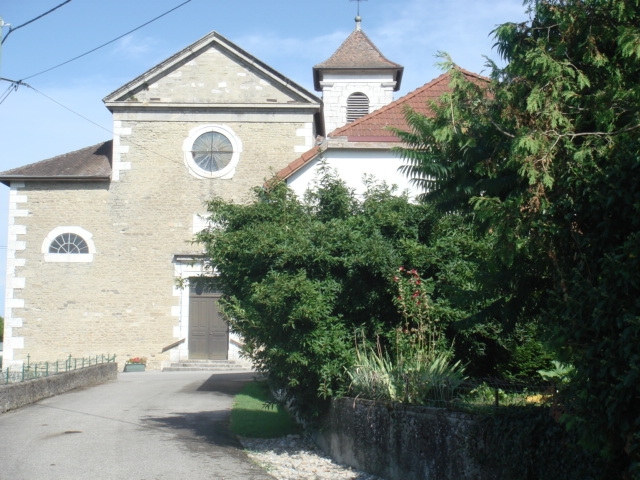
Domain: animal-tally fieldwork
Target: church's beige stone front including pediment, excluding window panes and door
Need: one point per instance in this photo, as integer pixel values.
(123, 298)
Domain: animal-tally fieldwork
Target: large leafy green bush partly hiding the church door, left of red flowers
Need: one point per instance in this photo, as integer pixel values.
(302, 279)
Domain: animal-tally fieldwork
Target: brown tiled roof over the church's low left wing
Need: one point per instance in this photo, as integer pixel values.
(90, 164)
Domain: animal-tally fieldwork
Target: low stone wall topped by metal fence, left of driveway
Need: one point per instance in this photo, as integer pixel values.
(16, 395)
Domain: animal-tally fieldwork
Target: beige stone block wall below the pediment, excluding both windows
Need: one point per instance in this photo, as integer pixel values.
(125, 301)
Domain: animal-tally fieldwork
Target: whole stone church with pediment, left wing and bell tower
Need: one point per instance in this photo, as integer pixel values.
(100, 253)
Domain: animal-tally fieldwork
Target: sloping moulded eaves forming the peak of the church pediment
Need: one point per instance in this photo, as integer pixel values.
(213, 38)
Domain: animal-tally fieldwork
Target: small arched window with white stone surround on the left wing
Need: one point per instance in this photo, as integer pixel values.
(68, 244)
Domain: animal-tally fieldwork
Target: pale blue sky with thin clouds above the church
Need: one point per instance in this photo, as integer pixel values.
(289, 35)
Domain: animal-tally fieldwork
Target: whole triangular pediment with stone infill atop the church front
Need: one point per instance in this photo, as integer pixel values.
(211, 71)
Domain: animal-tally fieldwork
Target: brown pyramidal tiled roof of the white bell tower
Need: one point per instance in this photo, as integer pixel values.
(357, 52)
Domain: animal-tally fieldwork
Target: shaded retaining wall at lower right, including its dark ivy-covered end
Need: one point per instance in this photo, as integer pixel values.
(399, 442)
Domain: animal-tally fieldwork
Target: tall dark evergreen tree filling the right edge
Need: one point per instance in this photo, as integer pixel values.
(546, 155)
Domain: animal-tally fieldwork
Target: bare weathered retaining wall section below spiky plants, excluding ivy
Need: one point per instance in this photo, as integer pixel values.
(395, 441)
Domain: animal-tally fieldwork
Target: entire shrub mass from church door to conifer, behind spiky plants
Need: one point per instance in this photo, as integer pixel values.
(305, 281)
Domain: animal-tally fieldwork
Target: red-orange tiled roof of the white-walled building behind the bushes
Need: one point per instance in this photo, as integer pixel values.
(374, 126)
